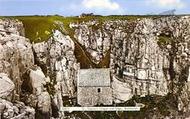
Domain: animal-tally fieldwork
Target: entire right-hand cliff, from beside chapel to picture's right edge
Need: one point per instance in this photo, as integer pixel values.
(161, 45)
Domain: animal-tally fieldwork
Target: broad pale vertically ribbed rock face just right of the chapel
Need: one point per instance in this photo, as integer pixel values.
(139, 61)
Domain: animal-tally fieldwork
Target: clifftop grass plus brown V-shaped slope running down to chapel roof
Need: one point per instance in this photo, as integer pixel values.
(39, 28)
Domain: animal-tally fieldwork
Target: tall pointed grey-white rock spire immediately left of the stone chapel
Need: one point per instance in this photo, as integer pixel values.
(57, 58)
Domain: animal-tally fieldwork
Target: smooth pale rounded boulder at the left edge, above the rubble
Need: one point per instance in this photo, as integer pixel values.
(6, 86)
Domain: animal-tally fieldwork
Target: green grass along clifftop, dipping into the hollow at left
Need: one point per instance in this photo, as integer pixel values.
(39, 28)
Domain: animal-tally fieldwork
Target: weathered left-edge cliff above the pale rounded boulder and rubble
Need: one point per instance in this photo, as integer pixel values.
(16, 54)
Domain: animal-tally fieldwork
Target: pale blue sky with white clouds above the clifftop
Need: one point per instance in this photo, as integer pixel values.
(100, 7)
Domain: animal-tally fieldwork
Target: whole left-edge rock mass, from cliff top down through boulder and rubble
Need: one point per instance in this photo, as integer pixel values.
(16, 57)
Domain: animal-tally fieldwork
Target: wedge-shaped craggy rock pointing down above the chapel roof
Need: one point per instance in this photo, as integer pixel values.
(94, 37)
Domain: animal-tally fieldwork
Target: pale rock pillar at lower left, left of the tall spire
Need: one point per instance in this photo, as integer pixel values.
(38, 82)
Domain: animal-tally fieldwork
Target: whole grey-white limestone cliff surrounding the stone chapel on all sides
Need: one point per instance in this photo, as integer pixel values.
(148, 58)
